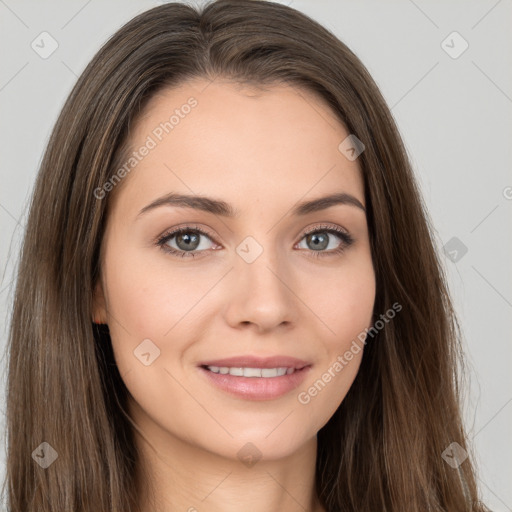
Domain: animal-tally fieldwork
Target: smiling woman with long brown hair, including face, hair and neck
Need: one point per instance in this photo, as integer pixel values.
(229, 295)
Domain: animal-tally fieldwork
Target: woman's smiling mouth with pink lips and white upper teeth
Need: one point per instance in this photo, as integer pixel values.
(263, 381)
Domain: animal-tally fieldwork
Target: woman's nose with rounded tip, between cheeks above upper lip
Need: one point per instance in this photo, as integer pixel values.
(261, 294)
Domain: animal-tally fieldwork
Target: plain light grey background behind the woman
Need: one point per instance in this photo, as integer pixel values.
(454, 115)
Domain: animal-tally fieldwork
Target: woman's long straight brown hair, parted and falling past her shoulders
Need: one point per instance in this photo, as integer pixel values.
(382, 448)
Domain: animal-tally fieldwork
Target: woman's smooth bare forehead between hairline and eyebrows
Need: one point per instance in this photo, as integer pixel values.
(245, 144)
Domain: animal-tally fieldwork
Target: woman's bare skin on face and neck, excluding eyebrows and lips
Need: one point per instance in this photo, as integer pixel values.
(261, 152)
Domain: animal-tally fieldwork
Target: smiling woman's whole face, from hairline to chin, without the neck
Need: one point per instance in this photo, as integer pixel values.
(257, 284)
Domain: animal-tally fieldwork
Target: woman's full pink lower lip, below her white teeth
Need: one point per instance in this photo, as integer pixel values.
(257, 388)
